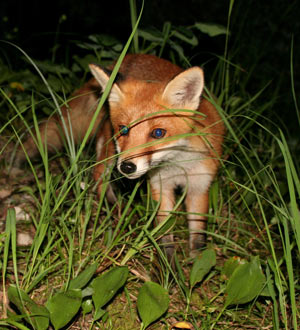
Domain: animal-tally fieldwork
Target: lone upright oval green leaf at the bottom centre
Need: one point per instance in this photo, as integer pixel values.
(152, 303)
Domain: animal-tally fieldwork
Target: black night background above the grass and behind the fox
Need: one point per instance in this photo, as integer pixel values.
(261, 34)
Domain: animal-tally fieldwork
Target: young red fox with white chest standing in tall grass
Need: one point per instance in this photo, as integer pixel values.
(159, 124)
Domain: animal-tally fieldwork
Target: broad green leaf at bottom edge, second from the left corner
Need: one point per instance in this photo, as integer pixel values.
(63, 306)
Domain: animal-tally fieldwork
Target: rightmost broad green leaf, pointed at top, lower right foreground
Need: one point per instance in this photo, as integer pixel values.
(246, 283)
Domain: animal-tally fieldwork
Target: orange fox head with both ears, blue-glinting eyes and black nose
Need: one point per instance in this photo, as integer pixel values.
(152, 120)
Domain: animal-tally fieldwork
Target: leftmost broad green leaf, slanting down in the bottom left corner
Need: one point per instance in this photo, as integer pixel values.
(27, 306)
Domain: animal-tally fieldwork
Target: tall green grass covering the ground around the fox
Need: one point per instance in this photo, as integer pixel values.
(254, 222)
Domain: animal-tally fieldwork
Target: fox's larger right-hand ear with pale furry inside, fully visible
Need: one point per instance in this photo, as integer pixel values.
(185, 89)
